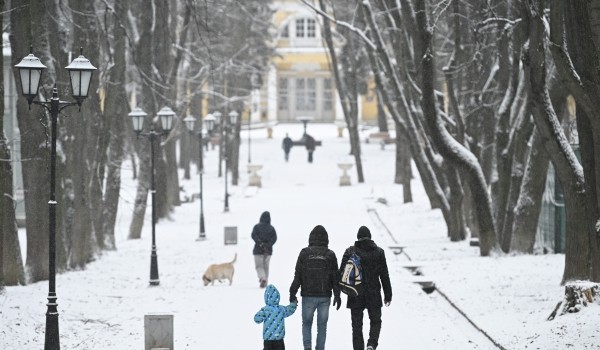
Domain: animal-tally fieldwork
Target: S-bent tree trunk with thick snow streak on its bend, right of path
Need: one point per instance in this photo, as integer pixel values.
(450, 149)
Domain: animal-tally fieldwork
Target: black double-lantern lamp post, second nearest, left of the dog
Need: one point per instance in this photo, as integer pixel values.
(166, 116)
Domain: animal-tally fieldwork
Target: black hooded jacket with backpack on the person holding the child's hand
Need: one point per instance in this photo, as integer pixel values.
(316, 268)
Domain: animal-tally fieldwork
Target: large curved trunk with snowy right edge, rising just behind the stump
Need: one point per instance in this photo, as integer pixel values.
(567, 167)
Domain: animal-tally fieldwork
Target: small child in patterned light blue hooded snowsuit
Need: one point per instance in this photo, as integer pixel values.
(272, 316)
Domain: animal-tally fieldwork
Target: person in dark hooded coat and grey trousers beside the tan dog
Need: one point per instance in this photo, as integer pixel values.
(264, 236)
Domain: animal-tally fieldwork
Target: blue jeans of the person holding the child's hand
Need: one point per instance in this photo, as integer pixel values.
(309, 305)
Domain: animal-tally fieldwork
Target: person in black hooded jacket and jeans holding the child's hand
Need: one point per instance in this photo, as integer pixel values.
(316, 275)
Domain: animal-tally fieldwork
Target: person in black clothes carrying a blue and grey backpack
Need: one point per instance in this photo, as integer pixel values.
(375, 276)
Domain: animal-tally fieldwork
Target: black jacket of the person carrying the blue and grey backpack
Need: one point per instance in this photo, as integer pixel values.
(375, 272)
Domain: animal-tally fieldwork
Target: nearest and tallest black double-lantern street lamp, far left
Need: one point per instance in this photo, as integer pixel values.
(30, 72)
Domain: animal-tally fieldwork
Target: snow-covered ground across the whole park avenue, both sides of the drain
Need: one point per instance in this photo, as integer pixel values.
(103, 307)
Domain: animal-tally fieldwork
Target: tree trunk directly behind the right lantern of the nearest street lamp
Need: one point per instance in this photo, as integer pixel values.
(87, 152)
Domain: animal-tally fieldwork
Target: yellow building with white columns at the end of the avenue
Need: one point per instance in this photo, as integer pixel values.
(299, 82)
